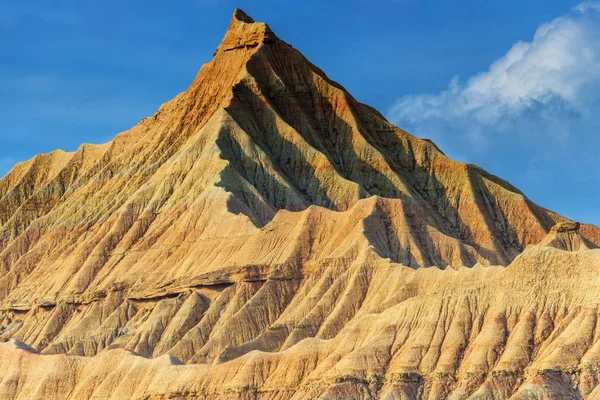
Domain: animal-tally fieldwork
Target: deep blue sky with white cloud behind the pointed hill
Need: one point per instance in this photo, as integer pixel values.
(512, 86)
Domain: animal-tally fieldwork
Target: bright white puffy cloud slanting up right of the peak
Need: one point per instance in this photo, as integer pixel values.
(553, 78)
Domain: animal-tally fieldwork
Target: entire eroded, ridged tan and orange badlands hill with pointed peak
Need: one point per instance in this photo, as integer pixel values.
(266, 236)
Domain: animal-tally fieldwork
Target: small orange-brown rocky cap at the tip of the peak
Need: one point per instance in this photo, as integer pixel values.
(244, 32)
